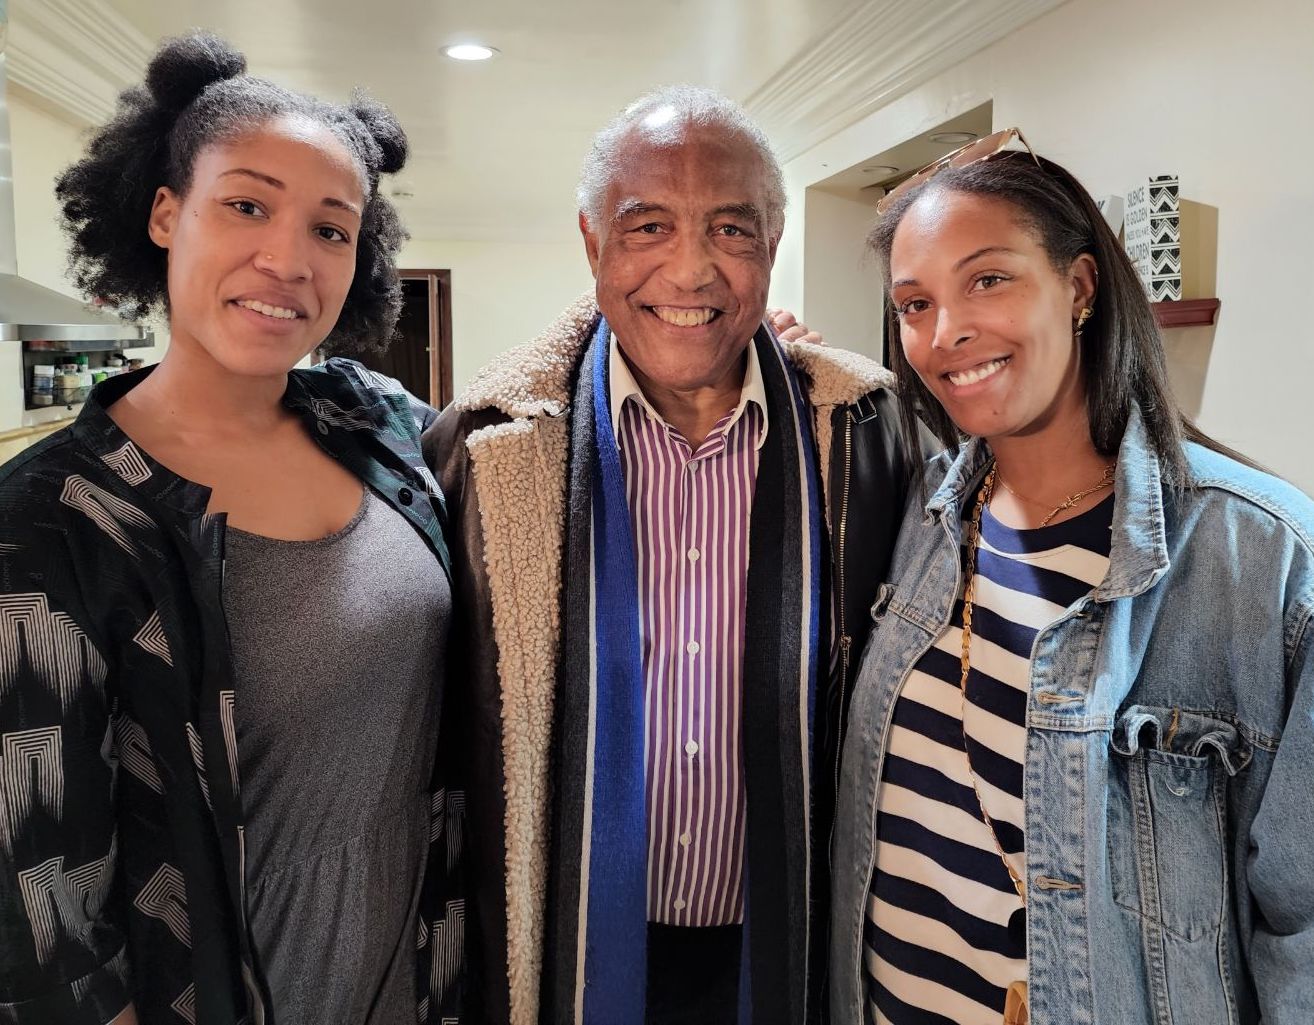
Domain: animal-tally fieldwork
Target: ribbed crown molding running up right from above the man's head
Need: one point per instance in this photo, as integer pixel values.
(873, 55)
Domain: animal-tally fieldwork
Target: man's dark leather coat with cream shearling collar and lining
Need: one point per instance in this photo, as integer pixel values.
(500, 453)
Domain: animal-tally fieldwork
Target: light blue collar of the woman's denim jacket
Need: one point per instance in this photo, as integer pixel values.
(1139, 555)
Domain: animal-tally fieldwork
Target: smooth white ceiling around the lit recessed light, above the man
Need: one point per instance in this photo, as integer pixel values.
(496, 148)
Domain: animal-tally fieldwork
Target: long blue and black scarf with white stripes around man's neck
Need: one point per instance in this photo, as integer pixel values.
(596, 963)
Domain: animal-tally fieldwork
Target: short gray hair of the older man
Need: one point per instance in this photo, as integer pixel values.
(664, 115)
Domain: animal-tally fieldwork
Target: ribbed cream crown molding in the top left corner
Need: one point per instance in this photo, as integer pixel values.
(76, 56)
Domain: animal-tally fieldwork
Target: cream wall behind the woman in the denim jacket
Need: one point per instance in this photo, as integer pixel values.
(1118, 91)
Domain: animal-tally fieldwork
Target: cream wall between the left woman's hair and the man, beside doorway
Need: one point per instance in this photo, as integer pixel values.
(504, 294)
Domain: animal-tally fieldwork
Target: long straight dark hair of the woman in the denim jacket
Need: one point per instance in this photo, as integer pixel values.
(1123, 355)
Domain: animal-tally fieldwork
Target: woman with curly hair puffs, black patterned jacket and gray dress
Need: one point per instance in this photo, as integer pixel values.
(225, 597)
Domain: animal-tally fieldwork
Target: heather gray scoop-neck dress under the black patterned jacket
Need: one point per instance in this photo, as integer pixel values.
(338, 654)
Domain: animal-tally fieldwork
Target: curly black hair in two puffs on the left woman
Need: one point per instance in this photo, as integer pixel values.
(198, 94)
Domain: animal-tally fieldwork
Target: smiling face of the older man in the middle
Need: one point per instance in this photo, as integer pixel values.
(684, 257)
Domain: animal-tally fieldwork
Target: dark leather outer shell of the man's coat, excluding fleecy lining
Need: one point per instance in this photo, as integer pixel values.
(868, 492)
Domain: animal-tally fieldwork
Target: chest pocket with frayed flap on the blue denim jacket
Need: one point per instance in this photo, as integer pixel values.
(1167, 830)
